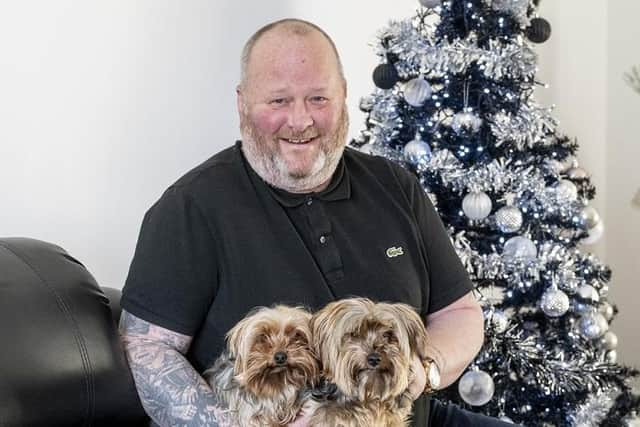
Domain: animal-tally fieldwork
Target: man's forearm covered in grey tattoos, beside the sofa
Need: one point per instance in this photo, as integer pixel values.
(171, 391)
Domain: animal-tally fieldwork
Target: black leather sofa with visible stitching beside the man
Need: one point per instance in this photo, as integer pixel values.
(61, 361)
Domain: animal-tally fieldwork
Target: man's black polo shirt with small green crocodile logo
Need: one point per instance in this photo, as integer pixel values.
(220, 241)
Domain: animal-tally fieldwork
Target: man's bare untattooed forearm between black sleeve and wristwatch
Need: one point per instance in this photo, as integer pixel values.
(456, 334)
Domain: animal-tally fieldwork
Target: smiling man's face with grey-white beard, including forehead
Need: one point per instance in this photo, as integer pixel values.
(293, 117)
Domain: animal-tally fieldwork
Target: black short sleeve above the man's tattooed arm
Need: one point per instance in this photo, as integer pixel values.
(172, 279)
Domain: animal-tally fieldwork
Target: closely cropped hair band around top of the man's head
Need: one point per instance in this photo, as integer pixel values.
(284, 27)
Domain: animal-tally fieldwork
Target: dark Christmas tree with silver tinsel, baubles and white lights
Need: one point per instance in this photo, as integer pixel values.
(454, 104)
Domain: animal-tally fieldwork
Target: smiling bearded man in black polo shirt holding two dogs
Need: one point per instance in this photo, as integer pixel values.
(287, 216)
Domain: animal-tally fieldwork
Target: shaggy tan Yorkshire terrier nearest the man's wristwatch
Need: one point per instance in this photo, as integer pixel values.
(366, 350)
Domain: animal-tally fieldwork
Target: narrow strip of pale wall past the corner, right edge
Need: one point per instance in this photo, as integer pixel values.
(623, 174)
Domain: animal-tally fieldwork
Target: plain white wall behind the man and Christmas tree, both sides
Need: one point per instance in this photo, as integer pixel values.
(103, 104)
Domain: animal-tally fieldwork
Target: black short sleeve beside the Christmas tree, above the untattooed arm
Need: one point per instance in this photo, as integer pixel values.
(448, 278)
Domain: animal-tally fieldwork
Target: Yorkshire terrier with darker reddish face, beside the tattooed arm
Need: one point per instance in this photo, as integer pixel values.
(264, 376)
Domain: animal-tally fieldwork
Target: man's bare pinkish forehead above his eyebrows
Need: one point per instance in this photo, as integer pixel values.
(281, 58)
